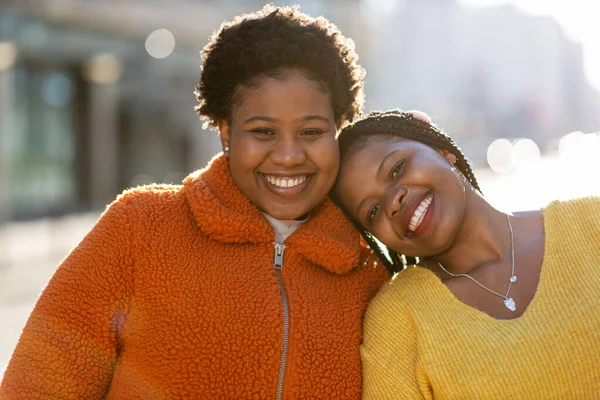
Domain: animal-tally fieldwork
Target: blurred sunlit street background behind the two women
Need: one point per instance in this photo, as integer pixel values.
(97, 96)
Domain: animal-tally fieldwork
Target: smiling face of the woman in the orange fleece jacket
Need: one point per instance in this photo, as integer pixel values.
(283, 151)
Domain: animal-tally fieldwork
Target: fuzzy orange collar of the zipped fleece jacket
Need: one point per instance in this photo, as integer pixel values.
(225, 214)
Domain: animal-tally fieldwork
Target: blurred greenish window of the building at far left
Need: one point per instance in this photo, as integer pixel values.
(41, 147)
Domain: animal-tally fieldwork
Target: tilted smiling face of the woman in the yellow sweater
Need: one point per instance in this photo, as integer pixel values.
(405, 193)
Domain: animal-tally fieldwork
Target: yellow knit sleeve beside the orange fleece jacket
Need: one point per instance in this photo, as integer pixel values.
(389, 352)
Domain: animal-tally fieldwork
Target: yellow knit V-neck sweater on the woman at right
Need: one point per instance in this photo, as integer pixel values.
(423, 343)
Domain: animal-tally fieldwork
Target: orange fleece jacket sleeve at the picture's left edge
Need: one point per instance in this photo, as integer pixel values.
(70, 344)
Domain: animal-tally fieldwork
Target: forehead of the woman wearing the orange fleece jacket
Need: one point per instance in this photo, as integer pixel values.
(290, 92)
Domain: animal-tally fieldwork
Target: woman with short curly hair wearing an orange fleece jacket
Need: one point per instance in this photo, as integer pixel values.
(243, 282)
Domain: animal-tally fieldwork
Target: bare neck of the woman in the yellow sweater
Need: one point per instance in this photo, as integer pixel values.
(483, 238)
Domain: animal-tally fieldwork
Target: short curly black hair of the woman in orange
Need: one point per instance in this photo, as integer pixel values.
(271, 40)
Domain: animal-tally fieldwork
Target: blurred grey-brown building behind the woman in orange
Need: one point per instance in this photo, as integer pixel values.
(86, 111)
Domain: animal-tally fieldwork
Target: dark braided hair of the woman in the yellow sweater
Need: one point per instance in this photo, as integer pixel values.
(404, 125)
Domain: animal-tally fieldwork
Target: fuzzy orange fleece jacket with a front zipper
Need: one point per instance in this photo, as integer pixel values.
(173, 294)
